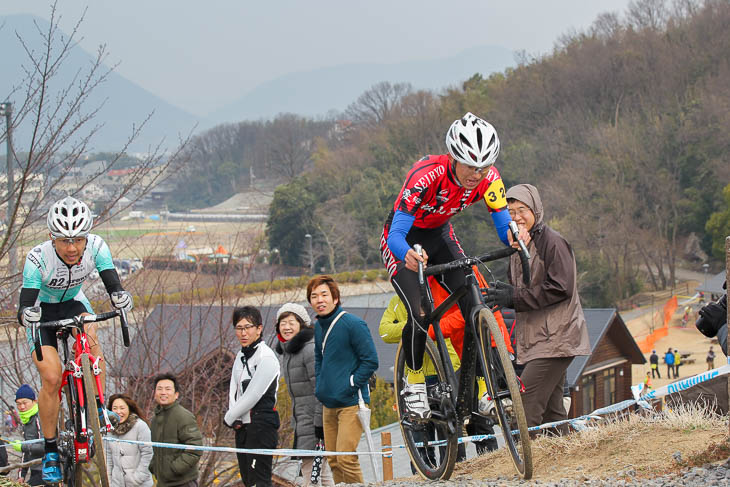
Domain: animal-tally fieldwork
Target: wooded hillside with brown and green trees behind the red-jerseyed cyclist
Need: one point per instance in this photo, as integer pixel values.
(621, 127)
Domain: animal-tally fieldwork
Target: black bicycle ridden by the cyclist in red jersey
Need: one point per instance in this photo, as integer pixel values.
(433, 443)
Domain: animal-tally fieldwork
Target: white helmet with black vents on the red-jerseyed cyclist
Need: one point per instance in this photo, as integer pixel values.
(472, 141)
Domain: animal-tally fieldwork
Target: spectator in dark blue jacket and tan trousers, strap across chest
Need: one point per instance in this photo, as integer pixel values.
(344, 360)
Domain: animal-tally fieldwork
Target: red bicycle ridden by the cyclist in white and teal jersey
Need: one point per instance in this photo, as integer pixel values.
(80, 436)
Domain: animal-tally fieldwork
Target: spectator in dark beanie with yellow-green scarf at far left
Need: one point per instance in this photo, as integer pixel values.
(27, 405)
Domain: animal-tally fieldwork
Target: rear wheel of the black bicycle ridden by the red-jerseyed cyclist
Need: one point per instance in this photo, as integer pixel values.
(432, 444)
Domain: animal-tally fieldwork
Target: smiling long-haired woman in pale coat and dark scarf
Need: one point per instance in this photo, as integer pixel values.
(128, 464)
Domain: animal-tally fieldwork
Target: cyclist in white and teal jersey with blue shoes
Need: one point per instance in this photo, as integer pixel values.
(52, 277)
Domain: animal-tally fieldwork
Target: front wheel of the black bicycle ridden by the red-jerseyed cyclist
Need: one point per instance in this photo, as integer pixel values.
(505, 391)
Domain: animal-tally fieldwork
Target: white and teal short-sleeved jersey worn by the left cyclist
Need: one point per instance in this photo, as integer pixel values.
(44, 270)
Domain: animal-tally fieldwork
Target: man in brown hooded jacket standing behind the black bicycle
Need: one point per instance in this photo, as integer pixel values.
(552, 327)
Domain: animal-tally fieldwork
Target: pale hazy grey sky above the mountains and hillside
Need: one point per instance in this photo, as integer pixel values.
(200, 55)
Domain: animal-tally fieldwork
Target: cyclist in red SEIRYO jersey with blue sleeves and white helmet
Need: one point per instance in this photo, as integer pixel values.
(436, 188)
